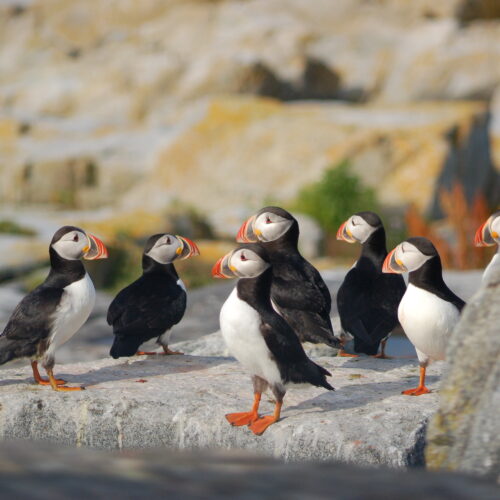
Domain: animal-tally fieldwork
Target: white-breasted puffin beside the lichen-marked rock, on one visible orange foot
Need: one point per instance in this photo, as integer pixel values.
(429, 310)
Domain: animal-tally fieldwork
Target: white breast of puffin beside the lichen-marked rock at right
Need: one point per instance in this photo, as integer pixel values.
(428, 321)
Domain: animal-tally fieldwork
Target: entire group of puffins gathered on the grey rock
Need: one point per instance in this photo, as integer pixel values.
(279, 302)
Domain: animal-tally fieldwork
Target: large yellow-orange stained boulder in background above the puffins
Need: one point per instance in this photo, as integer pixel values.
(405, 152)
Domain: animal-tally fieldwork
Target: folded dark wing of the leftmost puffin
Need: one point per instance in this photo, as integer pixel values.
(30, 323)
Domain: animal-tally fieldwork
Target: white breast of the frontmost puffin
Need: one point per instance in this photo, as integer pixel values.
(240, 326)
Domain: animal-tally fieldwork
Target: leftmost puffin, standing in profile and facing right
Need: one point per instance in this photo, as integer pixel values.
(54, 311)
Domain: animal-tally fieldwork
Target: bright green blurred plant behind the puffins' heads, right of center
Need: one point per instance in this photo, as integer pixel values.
(335, 197)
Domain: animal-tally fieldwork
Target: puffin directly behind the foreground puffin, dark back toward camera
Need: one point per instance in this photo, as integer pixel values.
(298, 291)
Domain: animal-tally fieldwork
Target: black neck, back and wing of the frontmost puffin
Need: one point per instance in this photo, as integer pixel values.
(287, 351)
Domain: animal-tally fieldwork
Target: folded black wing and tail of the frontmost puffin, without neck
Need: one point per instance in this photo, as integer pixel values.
(292, 361)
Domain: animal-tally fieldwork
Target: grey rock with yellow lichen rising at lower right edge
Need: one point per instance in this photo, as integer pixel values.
(464, 435)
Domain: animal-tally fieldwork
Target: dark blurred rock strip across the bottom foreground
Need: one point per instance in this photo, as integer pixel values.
(45, 471)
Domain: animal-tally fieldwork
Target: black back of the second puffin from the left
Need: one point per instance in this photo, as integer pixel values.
(147, 308)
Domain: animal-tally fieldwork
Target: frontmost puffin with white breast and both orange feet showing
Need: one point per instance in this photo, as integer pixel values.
(259, 338)
